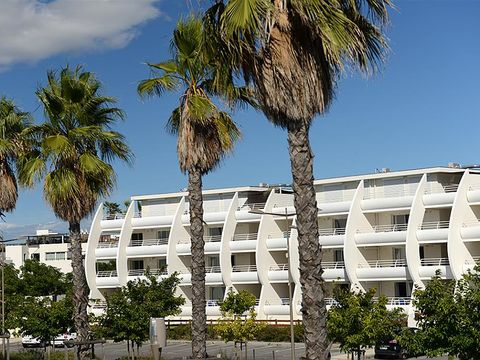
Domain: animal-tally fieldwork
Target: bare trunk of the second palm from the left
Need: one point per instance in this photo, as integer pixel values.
(80, 291)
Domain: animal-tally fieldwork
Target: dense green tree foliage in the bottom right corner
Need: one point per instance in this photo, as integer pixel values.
(448, 315)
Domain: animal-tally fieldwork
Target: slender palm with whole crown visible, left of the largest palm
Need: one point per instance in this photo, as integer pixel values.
(205, 135)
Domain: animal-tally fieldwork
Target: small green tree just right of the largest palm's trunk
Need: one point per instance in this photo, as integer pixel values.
(357, 321)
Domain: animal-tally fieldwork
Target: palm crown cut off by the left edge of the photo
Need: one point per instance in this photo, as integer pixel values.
(12, 122)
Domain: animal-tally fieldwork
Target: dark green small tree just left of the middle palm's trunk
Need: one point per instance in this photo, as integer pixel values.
(128, 312)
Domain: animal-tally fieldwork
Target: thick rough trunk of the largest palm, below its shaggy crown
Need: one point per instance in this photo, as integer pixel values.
(314, 311)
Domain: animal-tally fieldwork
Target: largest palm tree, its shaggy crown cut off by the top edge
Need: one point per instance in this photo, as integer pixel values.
(291, 52)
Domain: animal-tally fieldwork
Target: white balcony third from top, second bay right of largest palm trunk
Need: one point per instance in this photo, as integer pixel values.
(382, 270)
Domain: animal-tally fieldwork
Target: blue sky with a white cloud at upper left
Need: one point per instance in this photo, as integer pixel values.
(422, 110)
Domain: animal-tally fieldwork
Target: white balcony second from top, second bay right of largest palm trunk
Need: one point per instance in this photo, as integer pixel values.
(382, 234)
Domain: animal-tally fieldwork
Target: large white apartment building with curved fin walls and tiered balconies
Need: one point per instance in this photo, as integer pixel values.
(390, 231)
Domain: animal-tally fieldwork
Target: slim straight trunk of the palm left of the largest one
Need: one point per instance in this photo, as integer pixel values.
(199, 317)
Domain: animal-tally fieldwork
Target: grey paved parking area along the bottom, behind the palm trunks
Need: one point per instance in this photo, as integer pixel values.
(177, 350)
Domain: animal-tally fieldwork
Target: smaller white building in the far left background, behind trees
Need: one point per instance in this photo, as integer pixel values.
(47, 247)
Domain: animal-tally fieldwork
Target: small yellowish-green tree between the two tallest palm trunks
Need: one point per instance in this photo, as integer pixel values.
(233, 327)
